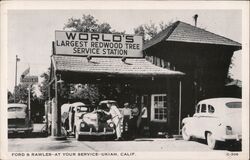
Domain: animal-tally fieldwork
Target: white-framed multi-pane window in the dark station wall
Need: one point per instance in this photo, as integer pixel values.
(159, 107)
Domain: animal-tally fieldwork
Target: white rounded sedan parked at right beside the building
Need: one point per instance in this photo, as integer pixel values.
(216, 120)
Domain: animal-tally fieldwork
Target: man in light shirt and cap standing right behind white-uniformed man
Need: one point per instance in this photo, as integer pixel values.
(127, 115)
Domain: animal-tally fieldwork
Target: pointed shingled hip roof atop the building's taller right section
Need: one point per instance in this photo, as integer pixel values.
(186, 33)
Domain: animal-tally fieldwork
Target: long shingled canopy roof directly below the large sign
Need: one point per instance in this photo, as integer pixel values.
(75, 68)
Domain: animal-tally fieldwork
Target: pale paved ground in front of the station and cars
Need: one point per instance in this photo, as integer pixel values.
(40, 142)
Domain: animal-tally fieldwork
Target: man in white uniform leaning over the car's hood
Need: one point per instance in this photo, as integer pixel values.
(116, 118)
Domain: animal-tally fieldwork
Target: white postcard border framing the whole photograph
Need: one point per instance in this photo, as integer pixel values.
(39, 5)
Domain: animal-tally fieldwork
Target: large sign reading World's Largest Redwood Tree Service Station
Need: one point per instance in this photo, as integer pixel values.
(98, 44)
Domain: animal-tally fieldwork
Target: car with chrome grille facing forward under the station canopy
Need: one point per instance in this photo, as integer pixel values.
(91, 121)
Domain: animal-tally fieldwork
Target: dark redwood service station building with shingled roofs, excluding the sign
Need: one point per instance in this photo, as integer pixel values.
(180, 66)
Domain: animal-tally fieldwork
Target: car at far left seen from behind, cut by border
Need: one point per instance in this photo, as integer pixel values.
(18, 119)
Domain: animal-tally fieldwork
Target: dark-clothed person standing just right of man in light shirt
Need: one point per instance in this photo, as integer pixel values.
(133, 121)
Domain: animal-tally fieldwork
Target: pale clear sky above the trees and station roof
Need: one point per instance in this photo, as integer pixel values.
(31, 32)
